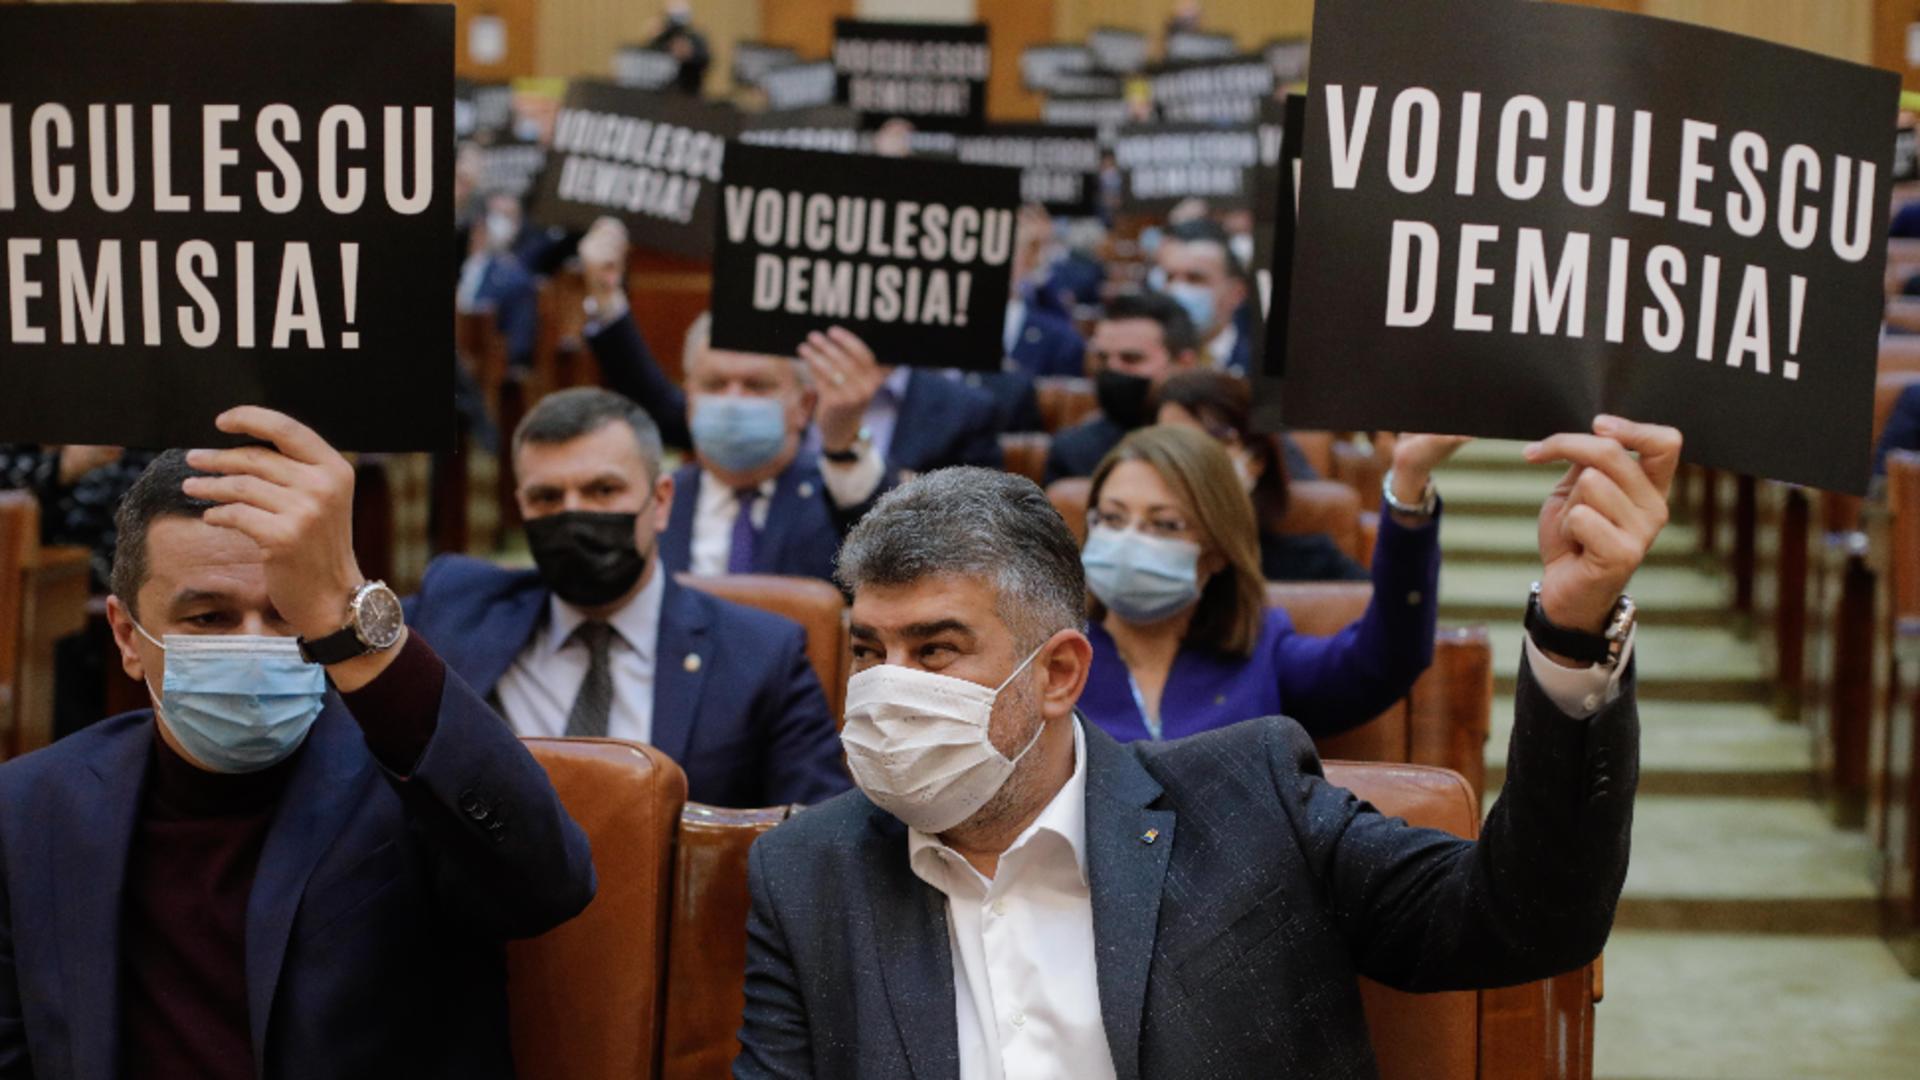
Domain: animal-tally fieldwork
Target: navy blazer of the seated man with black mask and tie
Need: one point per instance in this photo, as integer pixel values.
(748, 724)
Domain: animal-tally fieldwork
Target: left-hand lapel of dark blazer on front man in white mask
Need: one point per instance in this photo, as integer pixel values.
(915, 954)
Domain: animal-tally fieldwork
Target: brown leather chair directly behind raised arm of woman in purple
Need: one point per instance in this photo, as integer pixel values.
(1443, 722)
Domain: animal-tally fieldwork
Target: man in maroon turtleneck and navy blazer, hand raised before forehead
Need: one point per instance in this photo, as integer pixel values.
(287, 870)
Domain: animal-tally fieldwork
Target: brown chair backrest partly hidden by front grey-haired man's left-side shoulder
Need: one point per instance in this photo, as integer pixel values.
(708, 943)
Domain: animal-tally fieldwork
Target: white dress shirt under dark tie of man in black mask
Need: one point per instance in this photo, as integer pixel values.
(539, 691)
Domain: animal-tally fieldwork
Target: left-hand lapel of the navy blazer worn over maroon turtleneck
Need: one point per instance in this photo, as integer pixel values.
(89, 843)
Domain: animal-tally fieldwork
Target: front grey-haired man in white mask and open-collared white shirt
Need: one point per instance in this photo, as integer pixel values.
(1015, 895)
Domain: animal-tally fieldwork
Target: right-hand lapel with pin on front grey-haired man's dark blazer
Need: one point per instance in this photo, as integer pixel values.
(1128, 850)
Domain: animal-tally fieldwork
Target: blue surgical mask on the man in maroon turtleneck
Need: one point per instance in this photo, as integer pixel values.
(237, 702)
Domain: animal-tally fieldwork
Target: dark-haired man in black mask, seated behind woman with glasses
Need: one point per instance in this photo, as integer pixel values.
(1140, 343)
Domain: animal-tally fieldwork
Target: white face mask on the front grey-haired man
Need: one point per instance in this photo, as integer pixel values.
(919, 743)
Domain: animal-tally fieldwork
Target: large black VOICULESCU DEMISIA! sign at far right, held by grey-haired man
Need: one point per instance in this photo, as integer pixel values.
(1568, 212)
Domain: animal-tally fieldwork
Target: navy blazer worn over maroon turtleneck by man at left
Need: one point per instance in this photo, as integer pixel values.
(379, 908)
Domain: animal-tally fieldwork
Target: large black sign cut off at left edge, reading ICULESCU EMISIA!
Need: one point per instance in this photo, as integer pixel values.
(260, 212)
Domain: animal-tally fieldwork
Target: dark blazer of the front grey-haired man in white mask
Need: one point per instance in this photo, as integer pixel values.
(1237, 896)
